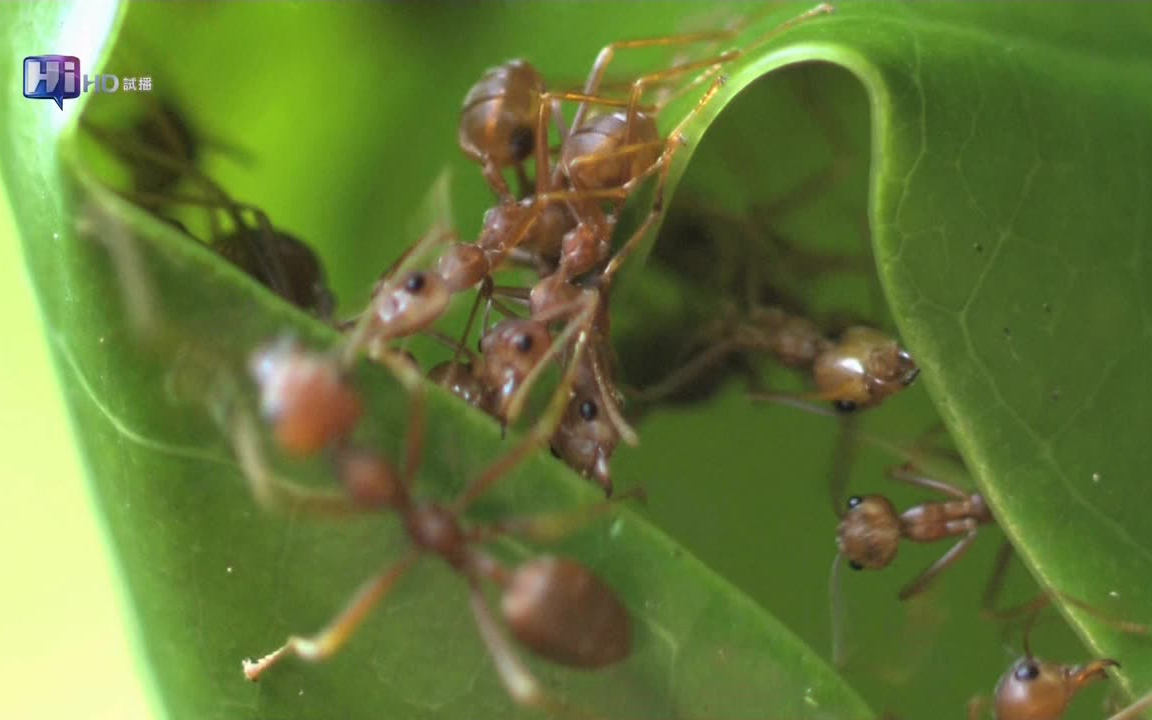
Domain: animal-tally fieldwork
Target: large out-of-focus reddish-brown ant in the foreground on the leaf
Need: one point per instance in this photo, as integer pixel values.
(556, 608)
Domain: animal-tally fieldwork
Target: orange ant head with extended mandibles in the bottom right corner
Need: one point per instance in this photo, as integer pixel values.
(1034, 689)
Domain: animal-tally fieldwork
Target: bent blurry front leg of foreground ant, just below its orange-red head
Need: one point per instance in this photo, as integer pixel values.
(275, 492)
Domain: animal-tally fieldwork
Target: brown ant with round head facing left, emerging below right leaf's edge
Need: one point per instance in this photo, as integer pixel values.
(870, 530)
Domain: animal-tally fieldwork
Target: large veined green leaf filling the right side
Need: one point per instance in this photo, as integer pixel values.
(1011, 207)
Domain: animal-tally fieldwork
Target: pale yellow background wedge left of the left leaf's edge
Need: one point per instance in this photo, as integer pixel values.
(62, 608)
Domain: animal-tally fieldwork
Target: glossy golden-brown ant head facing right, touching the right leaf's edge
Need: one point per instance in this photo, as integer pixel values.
(862, 369)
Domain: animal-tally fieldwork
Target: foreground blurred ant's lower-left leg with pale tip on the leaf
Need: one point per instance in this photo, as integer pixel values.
(334, 638)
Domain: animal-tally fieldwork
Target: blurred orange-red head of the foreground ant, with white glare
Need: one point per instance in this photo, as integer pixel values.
(306, 398)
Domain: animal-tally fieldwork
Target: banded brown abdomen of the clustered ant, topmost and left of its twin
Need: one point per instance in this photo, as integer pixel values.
(497, 124)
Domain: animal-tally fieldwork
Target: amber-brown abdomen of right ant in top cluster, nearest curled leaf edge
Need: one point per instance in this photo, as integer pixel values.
(602, 155)
